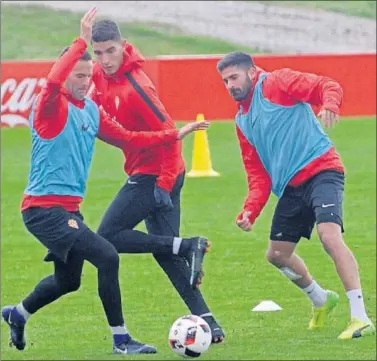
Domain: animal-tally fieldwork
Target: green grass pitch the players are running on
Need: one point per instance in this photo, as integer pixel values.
(237, 274)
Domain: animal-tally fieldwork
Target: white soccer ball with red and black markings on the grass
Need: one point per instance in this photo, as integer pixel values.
(190, 336)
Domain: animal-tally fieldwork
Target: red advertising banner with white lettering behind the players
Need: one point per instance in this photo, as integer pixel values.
(191, 85)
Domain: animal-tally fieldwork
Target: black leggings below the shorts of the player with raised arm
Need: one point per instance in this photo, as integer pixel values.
(67, 277)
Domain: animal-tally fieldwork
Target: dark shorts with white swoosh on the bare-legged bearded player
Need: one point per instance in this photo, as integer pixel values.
(318, 200)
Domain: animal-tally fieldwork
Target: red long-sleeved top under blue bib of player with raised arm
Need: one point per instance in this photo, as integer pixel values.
(51, 115)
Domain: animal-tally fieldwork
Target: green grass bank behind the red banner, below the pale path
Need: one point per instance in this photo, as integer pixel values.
(41, 33)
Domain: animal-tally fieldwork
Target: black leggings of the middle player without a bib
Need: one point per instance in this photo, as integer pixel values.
(134, 203)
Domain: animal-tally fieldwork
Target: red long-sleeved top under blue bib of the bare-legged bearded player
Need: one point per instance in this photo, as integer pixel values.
(287, 87)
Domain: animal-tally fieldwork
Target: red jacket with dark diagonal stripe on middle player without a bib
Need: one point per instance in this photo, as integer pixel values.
(130, 98)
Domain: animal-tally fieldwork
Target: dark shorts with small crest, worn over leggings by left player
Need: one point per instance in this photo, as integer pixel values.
(56, 228)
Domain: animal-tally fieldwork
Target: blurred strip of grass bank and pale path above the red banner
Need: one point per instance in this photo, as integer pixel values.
(198, 27)
